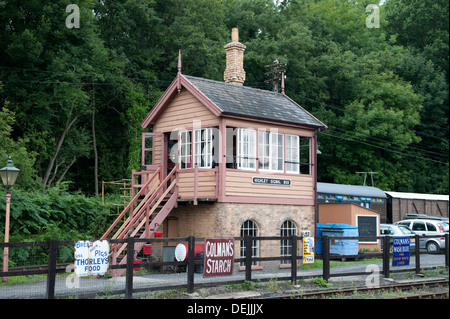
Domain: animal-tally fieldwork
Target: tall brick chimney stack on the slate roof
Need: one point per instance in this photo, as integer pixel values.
(234, 71)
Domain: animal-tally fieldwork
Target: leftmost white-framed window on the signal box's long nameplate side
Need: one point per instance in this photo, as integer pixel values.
(246, 149)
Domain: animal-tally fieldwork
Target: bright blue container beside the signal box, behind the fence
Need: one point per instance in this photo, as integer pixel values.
(342, 247)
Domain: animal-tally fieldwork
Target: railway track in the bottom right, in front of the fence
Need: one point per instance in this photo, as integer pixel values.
(420, 289)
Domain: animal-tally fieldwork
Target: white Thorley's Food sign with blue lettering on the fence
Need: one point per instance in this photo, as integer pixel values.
(91, 258)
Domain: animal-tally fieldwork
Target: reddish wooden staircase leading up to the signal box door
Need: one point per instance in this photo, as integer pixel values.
(154, 201)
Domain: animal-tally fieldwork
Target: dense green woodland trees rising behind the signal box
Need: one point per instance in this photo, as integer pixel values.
(72, 100)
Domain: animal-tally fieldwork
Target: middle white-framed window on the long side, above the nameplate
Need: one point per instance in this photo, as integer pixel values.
(276, 151)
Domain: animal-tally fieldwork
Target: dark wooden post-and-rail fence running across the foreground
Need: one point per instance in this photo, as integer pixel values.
(52, 269)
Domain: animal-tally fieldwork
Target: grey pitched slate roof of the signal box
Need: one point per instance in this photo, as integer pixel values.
(248, 102)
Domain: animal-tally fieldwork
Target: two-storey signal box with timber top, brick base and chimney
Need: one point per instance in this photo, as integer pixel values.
(223, 160)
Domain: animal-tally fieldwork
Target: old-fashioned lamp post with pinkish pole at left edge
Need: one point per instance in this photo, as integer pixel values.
(9, 175)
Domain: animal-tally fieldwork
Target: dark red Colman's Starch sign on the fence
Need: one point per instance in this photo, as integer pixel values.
(219, 257)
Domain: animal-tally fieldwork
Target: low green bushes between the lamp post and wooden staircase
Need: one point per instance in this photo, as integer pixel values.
(53, 214)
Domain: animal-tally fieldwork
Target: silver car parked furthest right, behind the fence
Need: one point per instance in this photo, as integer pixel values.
(426, 227)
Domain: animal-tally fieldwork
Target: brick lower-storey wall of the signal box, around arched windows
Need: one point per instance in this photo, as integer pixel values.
(226, 219)
